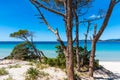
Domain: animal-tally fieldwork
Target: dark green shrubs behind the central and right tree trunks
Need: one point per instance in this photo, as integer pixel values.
(60, 60)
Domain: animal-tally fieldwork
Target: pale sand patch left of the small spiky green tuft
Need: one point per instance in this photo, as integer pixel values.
(15, 73)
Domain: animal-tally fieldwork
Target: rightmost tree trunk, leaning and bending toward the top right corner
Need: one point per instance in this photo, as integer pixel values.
(104, 25)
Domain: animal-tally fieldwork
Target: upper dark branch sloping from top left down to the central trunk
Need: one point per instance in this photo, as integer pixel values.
(46, 8)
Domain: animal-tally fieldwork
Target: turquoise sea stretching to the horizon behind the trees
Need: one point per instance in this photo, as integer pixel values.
(105, 51)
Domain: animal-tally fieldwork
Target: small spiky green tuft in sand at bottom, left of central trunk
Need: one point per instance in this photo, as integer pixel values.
(32, 74)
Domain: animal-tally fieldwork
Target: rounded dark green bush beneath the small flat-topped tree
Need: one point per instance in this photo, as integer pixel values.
(22, 51)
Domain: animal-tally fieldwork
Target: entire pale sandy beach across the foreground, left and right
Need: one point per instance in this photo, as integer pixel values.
(109, 70)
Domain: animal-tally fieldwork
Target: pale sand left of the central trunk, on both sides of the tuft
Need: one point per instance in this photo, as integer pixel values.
(19, 73)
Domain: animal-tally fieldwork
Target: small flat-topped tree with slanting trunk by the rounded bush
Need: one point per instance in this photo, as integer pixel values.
(27, 36)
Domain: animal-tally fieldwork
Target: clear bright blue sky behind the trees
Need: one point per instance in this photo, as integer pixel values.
(20, 14)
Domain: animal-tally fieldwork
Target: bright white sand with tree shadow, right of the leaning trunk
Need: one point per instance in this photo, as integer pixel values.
(108, 71)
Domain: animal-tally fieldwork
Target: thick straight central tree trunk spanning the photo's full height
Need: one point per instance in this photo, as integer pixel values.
(69, 55)
